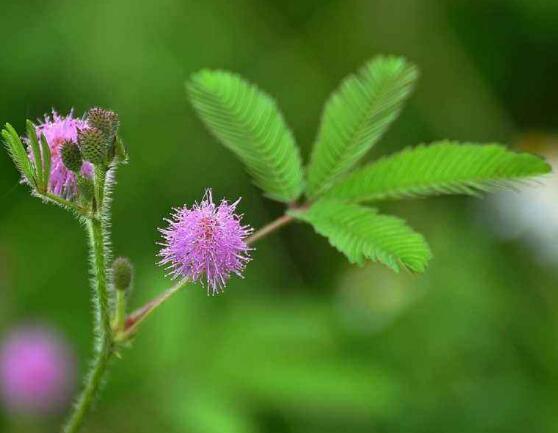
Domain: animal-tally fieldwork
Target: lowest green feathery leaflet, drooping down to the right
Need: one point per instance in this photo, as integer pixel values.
(361, 233)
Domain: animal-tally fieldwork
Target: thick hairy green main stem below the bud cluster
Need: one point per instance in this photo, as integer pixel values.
(103, 332)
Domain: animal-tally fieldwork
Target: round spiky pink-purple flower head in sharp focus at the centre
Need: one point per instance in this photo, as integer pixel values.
(206, 240)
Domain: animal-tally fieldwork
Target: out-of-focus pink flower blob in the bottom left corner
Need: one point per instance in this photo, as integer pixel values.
(36, 371)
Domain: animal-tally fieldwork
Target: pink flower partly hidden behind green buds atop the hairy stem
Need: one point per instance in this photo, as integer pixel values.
(58, 129)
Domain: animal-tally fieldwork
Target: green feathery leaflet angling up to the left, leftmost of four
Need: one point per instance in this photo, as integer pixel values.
(247, 121)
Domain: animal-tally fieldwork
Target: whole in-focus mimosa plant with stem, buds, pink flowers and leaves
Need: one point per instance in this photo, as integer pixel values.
(72, 162)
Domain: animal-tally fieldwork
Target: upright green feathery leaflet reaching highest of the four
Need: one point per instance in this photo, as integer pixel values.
(356, 116)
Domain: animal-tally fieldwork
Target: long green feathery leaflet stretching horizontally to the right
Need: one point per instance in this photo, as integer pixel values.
(441, 168)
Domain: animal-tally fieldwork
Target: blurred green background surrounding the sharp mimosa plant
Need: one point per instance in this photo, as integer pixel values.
(305, 343)
